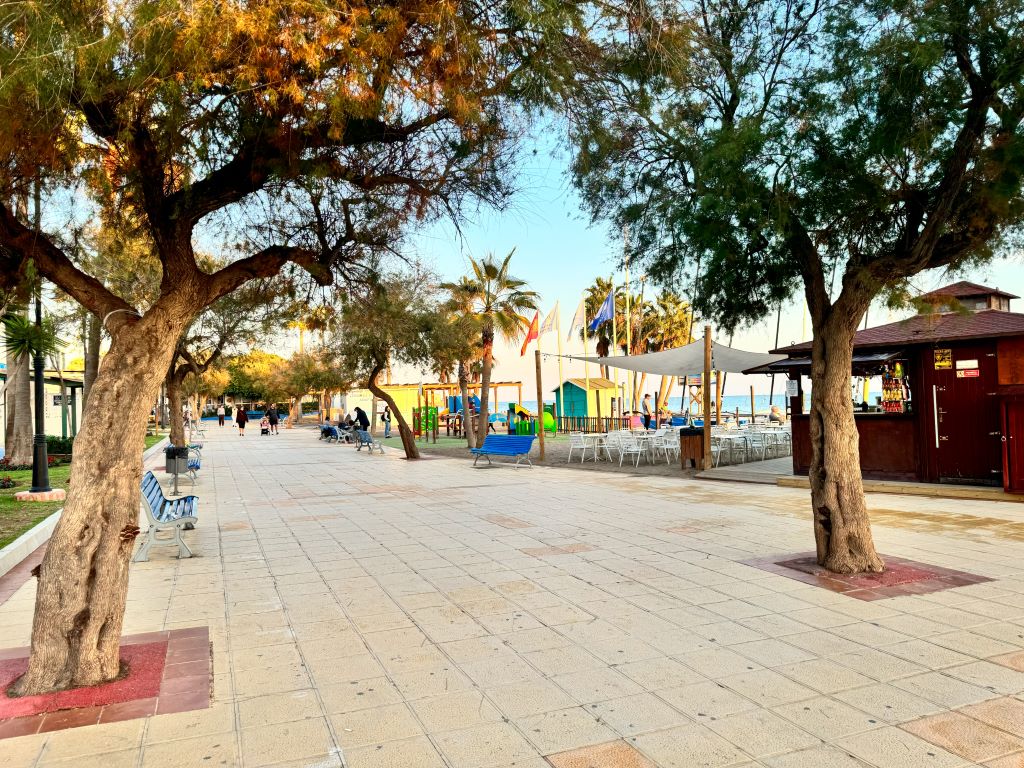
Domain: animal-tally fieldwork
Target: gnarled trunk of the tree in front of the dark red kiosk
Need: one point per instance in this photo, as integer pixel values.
(842, 528)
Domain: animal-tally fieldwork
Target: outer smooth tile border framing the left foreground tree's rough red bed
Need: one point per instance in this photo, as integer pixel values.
(185, 687)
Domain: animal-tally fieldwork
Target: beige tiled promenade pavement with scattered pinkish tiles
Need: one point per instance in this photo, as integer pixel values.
(377, 614)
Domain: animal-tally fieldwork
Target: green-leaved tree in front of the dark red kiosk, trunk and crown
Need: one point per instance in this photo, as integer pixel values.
(763, 147)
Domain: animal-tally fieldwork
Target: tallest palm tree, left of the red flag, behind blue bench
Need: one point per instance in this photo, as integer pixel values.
(499, 302)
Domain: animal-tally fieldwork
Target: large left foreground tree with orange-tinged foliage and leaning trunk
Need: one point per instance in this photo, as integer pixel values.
(306, 134)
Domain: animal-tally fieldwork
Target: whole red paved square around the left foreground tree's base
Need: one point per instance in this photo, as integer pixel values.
(167, 672)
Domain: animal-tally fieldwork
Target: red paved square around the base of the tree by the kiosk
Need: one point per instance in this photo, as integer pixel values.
(902, 577)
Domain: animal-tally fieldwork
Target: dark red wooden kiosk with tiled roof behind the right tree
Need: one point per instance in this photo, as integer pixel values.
(952, 408)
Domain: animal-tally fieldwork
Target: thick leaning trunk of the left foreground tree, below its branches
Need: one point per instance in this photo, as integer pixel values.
(83, 580)
